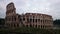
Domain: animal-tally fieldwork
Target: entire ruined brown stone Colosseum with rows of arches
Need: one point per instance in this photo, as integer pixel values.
(36, 20)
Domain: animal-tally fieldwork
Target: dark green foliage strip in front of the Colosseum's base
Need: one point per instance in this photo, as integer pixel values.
(30, 30)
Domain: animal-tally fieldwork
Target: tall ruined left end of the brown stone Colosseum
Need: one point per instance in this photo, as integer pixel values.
(11, 17)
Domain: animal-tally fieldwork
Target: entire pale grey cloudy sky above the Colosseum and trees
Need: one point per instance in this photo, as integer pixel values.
(50, 7)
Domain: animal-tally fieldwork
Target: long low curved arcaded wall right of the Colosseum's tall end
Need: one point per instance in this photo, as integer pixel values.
(37, 20)
